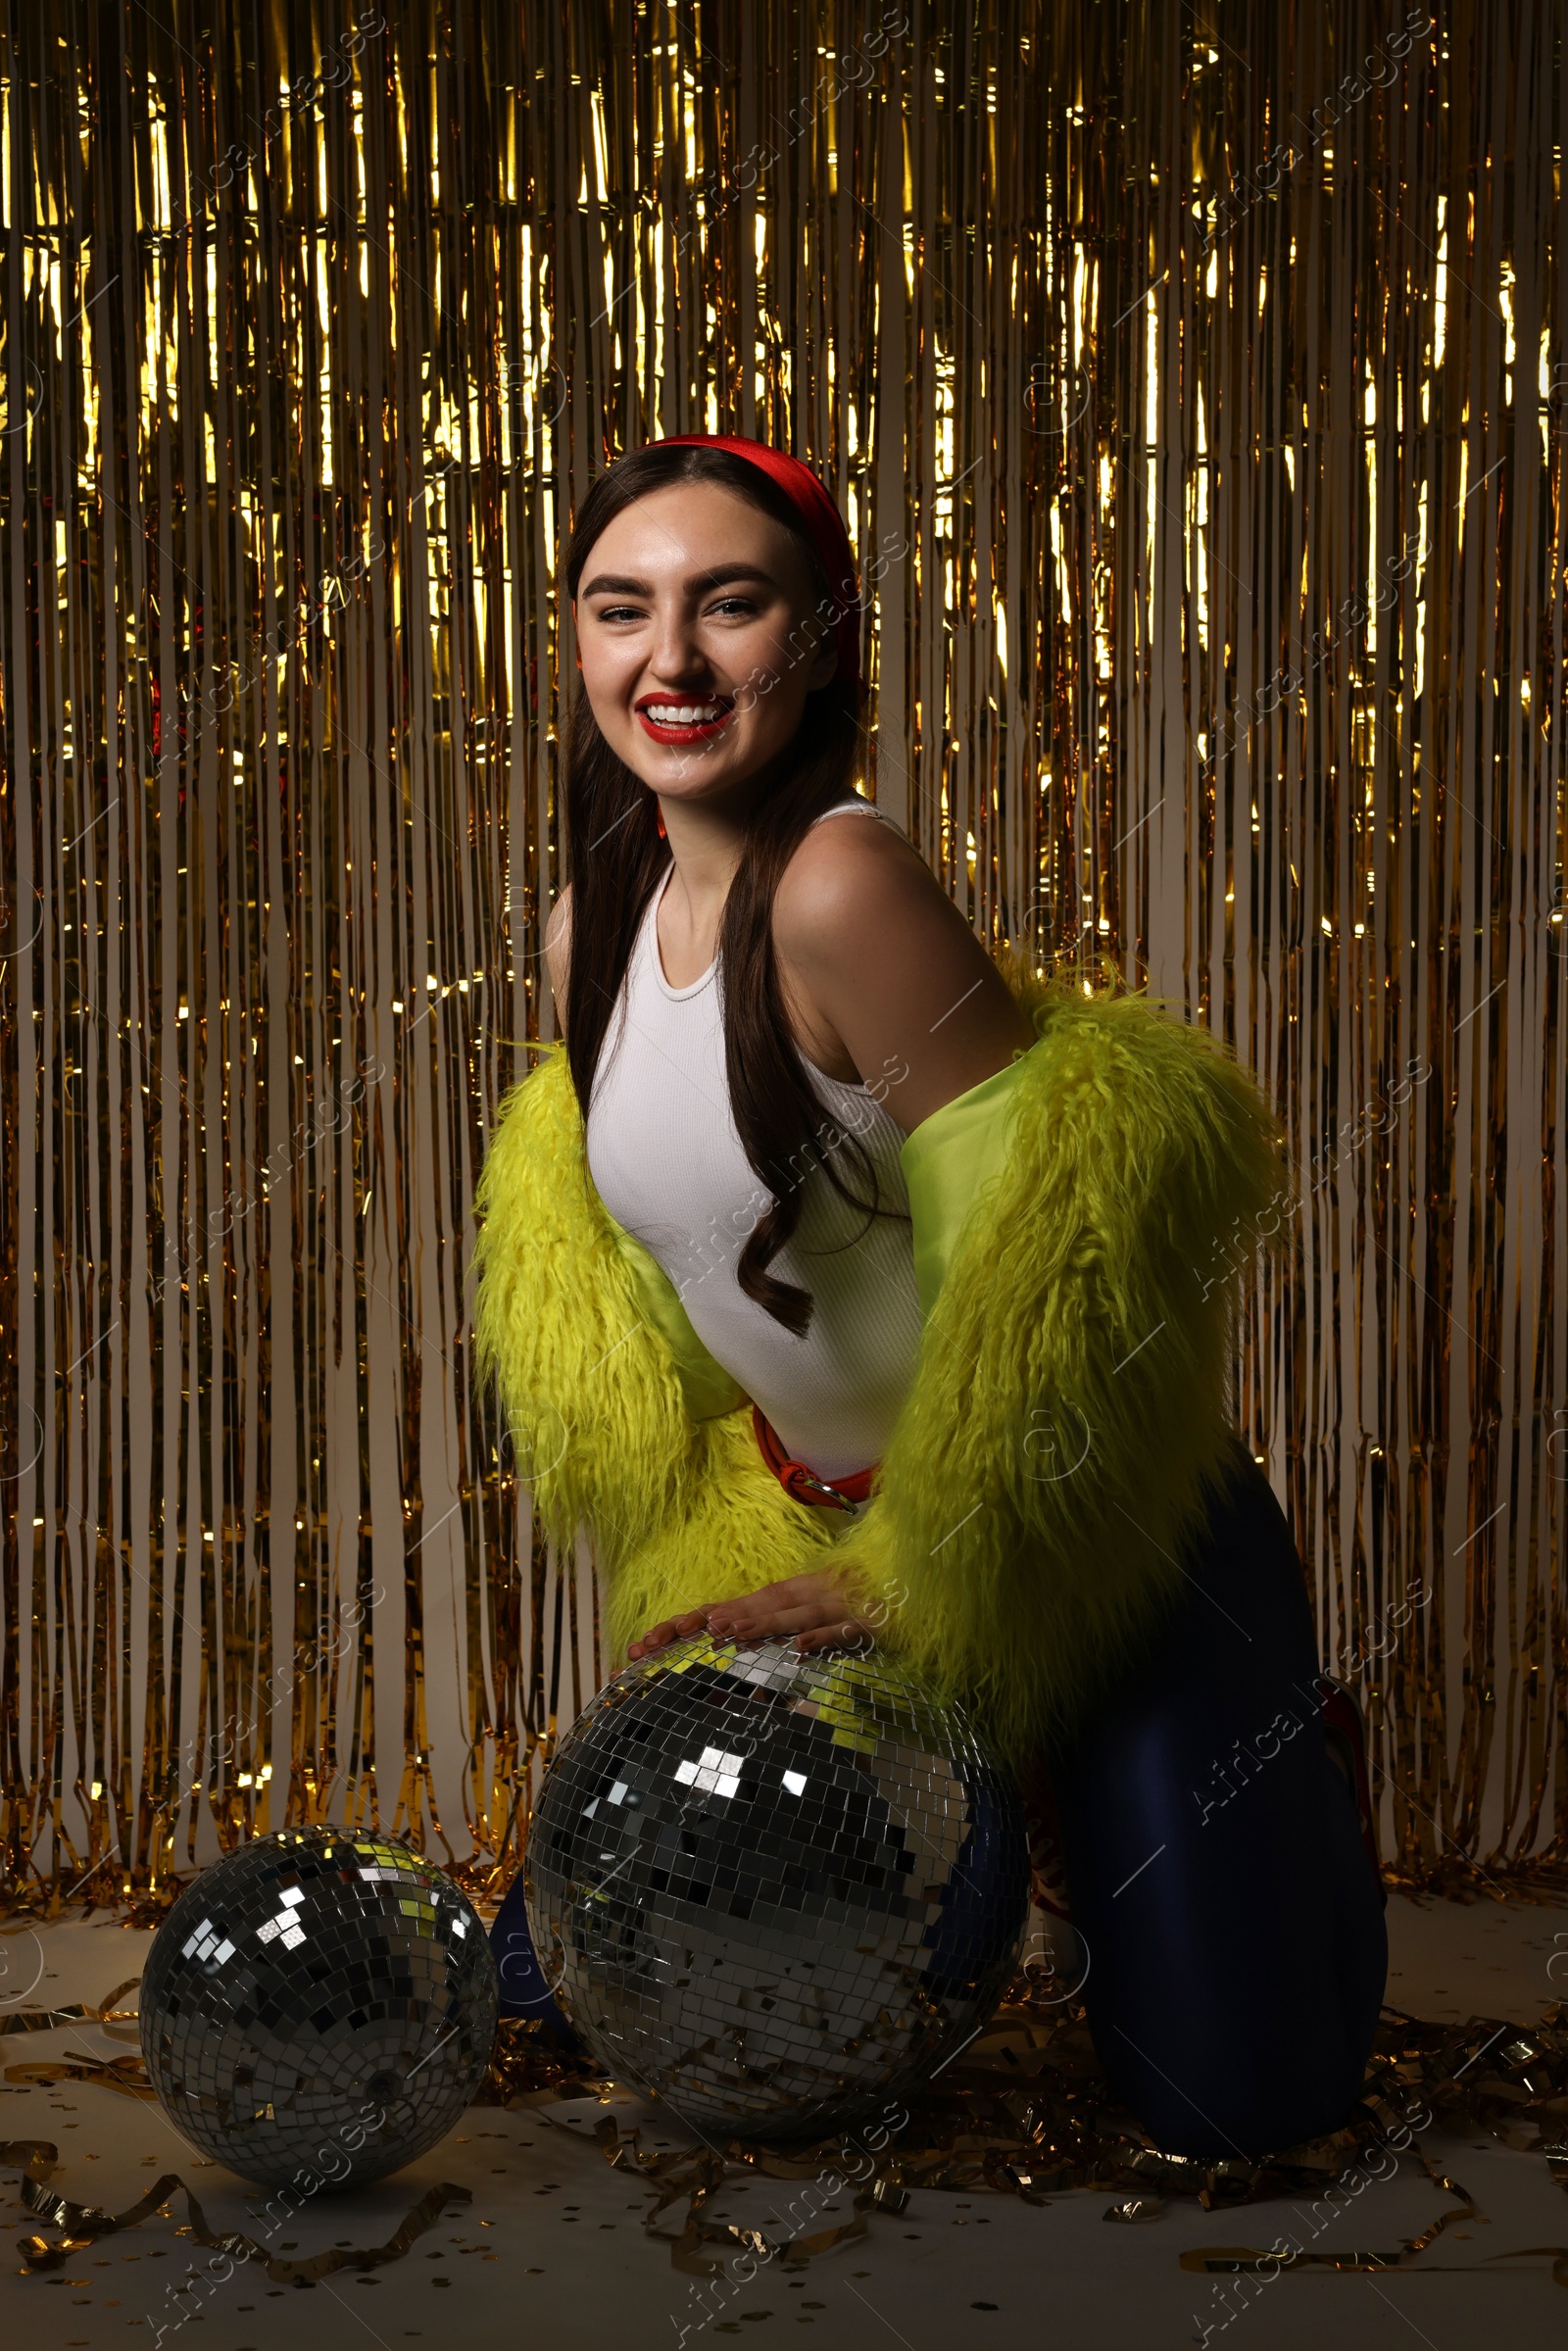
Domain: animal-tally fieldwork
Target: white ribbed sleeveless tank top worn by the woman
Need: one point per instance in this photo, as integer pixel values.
(669, 1165)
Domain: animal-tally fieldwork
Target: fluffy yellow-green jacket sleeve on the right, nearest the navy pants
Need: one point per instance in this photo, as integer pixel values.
(1071, 1402)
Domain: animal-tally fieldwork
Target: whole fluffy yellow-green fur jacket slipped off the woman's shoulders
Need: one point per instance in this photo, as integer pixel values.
(1078, 1228)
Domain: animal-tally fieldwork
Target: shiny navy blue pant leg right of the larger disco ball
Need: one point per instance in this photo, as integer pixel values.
(1214, 1861)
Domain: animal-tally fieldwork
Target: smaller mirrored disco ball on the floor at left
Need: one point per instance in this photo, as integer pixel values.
(321, 2004)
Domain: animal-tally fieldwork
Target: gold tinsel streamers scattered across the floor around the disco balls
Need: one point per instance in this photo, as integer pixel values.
(1021, 2112)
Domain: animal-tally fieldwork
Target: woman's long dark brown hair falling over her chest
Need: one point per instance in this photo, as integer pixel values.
(617, 859)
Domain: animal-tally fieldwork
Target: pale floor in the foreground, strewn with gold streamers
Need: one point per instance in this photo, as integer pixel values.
(502, 2272)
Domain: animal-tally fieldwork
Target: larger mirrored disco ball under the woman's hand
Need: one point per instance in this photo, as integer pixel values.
(775, 1891)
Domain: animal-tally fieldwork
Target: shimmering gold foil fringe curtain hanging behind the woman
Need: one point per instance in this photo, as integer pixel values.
(1198, 394)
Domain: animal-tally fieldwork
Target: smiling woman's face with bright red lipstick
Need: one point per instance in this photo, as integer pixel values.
(699, 638)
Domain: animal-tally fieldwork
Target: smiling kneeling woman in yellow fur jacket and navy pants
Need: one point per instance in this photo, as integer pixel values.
(840, 1282)
